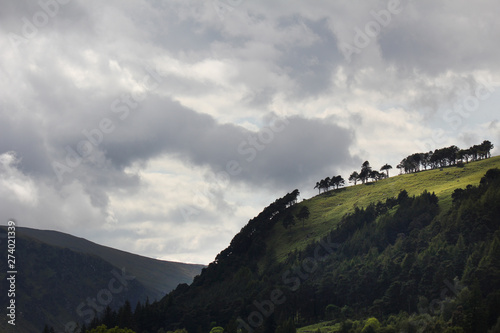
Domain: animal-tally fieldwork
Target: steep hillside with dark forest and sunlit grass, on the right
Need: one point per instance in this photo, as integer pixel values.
(415, 252)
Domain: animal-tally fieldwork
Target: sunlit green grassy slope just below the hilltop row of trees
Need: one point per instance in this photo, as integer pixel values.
(328, 208)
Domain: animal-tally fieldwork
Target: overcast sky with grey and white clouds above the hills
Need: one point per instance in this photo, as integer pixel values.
(162, 127)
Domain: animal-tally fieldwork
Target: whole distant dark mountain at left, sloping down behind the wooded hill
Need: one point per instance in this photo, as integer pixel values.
(63, 279)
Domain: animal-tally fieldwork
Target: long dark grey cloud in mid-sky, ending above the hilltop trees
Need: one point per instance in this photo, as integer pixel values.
(299, 149)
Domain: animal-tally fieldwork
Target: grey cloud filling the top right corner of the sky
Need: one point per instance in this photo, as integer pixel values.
(427, 37)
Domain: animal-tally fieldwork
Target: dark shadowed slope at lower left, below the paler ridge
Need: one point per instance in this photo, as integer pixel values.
(62, 287)
